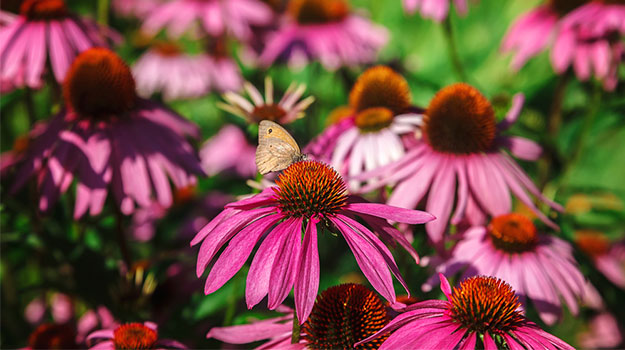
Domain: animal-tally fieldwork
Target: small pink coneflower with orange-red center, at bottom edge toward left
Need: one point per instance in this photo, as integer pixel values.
(131, 336)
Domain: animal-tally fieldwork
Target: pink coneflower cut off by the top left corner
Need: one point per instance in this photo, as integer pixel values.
(44, 28)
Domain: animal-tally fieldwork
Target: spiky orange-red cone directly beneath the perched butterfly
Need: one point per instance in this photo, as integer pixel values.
(310, 188)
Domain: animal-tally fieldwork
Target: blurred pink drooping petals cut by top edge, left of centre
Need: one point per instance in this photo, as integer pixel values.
(216, 17)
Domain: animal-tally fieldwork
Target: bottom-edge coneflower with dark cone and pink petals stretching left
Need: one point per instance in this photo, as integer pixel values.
(342, 316)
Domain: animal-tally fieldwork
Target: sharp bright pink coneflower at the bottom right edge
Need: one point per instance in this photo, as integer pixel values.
(482, 313)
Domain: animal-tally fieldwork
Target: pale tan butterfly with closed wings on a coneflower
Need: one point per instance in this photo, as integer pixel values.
(276, 149)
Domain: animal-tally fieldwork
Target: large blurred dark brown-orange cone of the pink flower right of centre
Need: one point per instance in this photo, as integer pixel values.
(459, 120)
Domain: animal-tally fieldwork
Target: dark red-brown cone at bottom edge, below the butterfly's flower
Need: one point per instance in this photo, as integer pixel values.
(344, 315)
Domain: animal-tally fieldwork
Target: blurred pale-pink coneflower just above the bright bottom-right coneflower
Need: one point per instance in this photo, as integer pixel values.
(538, 266)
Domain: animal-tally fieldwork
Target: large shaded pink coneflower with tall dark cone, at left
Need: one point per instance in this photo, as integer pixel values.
(107, 136)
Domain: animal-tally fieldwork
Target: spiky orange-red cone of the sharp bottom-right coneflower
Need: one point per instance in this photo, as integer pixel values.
(485, 304)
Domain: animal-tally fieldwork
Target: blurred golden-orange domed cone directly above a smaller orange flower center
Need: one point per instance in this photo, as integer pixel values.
(380, 86)
